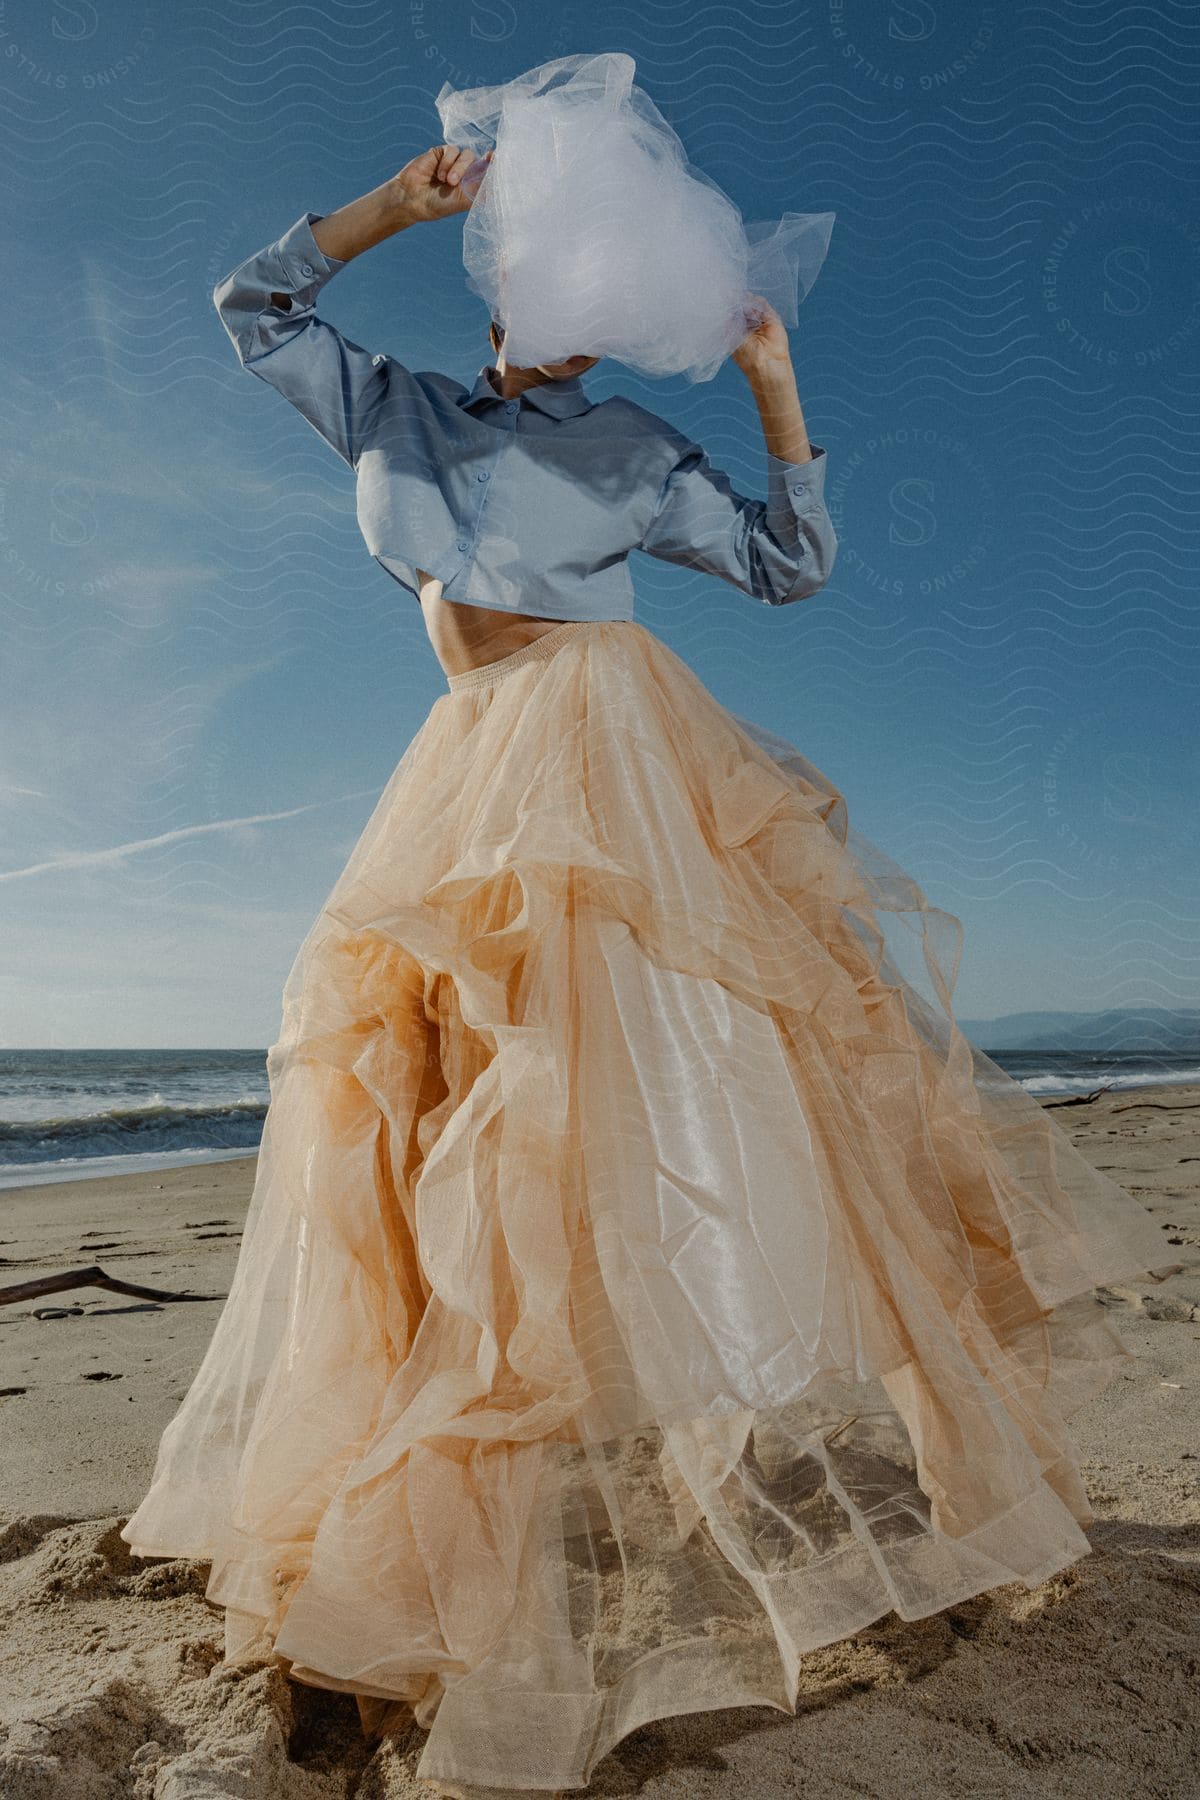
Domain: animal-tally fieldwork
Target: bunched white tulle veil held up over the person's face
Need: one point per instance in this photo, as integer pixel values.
(593, 233)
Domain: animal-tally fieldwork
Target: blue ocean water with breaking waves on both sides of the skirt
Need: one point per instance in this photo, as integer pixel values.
(75, 1113)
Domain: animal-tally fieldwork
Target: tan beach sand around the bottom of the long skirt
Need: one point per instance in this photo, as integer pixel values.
(109, 1664)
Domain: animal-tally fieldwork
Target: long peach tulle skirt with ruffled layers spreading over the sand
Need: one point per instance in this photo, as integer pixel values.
(645, 1281)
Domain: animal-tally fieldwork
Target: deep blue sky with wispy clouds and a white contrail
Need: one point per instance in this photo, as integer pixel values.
(208, 681)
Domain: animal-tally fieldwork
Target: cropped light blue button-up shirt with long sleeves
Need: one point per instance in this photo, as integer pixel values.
(526, 505)
